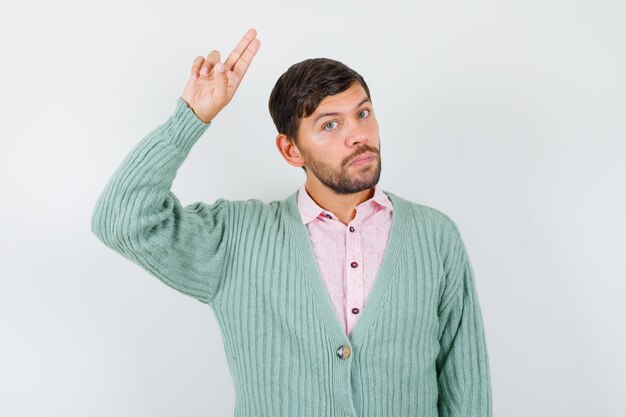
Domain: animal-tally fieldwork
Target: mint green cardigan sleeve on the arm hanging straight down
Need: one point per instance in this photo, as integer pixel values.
(463, 375)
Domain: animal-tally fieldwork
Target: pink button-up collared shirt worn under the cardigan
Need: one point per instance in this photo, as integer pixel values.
(348, 256)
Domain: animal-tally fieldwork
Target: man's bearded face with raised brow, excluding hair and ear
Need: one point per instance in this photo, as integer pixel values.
(340, 144)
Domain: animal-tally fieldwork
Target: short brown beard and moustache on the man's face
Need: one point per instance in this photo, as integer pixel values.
(341, 181)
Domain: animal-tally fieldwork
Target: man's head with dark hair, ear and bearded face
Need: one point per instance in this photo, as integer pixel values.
(323, 112)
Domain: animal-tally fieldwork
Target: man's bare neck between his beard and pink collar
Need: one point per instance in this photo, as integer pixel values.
(343, 205)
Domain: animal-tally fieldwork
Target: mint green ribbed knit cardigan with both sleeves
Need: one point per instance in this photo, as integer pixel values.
(417, 350)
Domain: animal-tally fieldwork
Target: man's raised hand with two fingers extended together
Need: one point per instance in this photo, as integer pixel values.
(212, 83)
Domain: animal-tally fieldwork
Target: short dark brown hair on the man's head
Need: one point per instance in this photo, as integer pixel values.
(299, 91)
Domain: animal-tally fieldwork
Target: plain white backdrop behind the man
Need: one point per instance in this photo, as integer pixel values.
(509, 116)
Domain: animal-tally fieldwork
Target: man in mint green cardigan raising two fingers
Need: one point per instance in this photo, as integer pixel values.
(341, 300)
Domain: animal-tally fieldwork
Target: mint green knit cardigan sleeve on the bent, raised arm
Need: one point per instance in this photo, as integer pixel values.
(138, 215)
